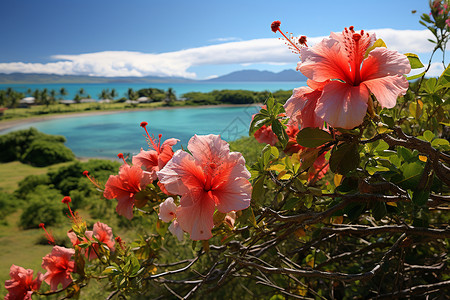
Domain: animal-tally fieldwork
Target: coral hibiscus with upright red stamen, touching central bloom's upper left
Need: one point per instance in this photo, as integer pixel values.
(154, 160)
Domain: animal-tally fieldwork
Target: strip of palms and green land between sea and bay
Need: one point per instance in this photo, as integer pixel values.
(46, 104)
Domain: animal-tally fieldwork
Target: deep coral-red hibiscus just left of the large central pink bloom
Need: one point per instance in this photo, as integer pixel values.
(124, 187)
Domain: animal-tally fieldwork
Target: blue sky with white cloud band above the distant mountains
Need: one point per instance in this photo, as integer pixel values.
(195, 39)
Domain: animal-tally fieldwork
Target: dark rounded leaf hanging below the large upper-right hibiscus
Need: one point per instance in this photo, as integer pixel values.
(345, 158)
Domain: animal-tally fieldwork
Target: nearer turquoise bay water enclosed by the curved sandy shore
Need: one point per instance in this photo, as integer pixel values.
(107, 135)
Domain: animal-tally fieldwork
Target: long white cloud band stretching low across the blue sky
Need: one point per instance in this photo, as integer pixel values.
(177, 63)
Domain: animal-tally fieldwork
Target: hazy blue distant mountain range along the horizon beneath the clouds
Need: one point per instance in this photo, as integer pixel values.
(244, 75)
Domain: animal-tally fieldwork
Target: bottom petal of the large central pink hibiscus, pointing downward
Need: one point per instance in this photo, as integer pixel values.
(195, 214)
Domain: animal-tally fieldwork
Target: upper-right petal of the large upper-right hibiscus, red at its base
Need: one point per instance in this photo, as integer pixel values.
(383, 62)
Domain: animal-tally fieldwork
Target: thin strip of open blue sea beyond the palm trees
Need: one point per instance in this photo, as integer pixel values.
(94, 89)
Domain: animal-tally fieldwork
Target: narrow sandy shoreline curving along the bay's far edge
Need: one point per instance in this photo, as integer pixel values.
(7, 124)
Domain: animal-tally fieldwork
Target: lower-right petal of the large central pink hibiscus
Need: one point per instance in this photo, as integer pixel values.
(235, 195)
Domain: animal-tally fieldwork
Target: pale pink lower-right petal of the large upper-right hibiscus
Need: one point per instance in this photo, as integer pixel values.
(387, 89)
